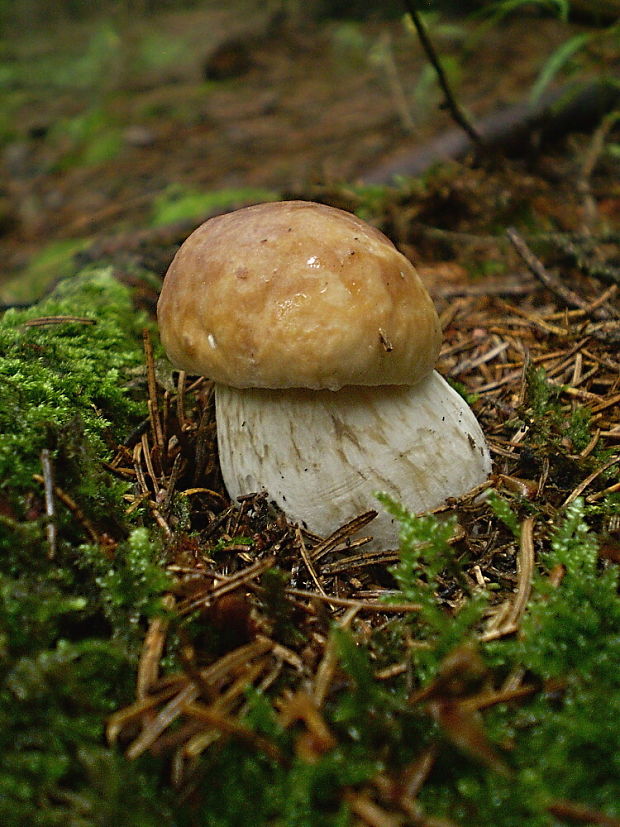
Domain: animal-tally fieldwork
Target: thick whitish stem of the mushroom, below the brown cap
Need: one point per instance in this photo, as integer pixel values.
(322, 455)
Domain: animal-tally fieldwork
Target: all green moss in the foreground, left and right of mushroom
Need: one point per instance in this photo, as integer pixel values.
(71, 629)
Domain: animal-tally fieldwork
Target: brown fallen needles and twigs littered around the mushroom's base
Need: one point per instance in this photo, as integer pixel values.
(220, 552)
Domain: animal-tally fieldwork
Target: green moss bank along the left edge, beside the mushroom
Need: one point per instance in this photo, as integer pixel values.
(70, 627)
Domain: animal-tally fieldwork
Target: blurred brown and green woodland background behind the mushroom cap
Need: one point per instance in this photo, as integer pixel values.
(122, 116)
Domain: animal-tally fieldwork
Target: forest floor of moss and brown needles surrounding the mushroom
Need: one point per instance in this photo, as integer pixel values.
(170, 656)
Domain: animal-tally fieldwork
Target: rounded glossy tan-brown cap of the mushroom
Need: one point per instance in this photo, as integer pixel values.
(296, 294)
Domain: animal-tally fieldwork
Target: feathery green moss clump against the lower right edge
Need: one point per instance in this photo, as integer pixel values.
(564, 742)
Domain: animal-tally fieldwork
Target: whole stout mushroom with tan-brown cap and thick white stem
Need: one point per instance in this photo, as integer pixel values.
(321, 340)
